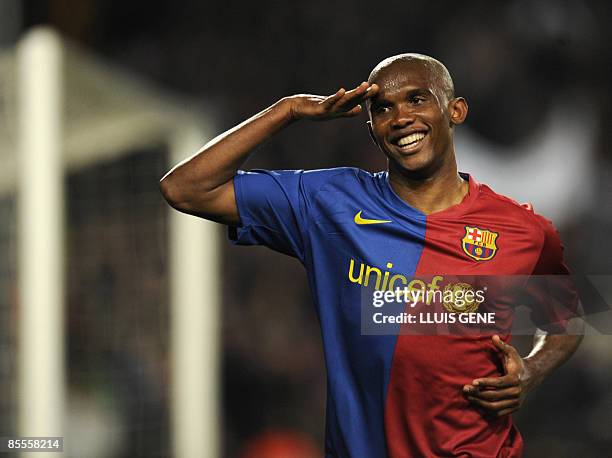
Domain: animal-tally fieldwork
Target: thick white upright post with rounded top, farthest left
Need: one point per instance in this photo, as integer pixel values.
(40, 255)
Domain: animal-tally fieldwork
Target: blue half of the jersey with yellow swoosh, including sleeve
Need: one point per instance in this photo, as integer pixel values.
(311, 215)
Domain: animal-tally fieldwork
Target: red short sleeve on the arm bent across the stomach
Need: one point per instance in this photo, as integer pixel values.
(551, 293)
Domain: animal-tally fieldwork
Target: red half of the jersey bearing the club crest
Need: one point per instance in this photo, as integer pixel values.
(426, 413)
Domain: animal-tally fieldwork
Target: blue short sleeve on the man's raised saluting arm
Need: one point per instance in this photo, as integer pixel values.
(271, 209)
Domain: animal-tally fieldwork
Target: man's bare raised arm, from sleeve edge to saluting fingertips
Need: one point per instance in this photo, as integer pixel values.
(202, 184)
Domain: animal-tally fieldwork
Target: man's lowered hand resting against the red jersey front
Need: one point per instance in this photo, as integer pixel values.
(502, 395)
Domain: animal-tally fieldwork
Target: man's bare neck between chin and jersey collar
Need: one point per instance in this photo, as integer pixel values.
(431, 194)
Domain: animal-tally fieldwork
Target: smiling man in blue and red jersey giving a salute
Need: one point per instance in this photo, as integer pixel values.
(393, 394)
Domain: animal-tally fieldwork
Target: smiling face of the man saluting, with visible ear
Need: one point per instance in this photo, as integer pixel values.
(411, 119)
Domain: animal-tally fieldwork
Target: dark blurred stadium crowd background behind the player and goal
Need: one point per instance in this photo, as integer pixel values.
(532, 72)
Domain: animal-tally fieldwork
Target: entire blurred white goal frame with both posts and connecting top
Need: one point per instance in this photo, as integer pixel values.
(50, 76)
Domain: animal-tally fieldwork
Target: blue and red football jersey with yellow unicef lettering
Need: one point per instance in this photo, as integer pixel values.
(395, 394)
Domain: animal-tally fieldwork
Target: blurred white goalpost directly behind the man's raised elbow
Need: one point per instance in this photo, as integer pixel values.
(195, 327)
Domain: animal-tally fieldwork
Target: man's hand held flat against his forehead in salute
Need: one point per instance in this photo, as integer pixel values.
(342, 104)
